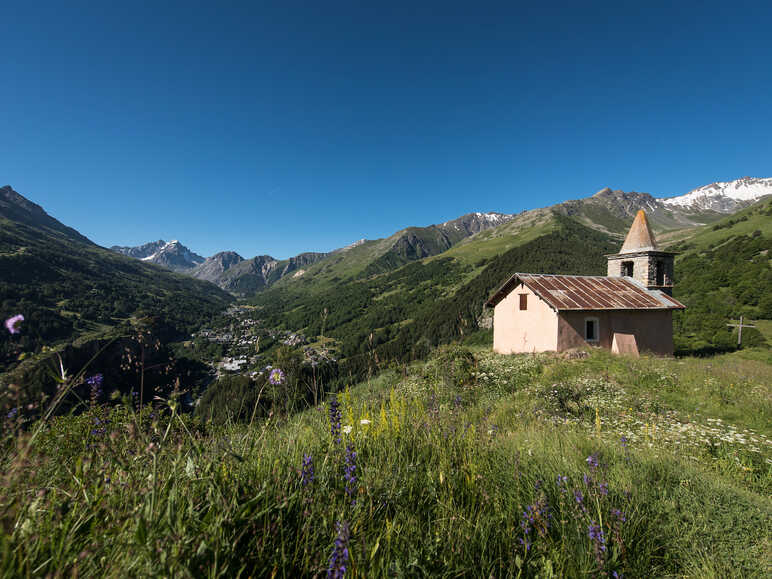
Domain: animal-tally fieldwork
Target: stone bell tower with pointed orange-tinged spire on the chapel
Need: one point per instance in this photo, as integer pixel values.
(641, 259)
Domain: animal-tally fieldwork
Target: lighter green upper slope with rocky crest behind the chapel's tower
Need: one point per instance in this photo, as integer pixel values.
(608, 211)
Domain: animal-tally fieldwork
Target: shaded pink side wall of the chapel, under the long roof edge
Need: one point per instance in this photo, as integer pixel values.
(653, 330)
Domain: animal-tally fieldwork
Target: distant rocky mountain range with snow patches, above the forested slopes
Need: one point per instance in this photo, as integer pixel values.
(608, 210)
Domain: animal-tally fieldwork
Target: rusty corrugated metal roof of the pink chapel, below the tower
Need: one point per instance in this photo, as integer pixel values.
(585, 292)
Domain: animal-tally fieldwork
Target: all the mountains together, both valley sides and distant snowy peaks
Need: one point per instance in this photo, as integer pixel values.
(401, 294)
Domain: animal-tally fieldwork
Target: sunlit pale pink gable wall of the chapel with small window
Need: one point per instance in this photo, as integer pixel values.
(531, 330)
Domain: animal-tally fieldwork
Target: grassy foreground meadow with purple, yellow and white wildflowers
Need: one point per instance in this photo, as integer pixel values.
(467, 464)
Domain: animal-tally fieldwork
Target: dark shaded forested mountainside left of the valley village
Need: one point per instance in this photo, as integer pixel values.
(67, 287)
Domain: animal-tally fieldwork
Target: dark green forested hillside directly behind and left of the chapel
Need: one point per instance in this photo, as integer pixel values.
(402, 313)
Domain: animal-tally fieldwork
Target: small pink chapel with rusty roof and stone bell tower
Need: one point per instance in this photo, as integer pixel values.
(628, 311)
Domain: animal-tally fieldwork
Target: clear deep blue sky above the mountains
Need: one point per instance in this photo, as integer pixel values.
(281, 127)
